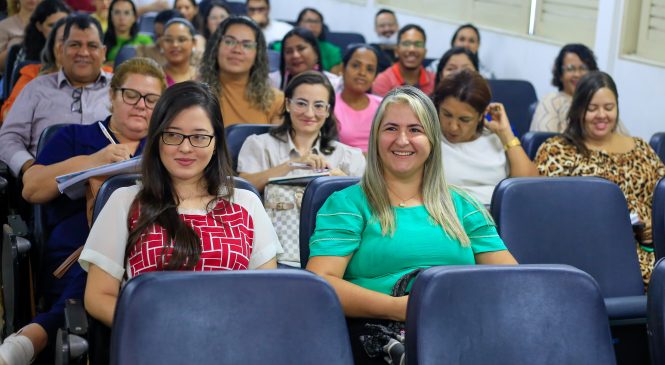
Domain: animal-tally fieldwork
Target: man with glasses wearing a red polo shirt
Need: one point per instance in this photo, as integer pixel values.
(408, 70)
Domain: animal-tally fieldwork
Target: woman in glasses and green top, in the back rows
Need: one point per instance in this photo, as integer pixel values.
(331, 56)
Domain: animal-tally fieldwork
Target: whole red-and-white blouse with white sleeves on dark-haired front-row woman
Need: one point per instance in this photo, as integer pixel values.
(235, 235)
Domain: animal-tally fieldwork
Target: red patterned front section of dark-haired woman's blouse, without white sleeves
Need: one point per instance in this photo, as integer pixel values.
(226, 233)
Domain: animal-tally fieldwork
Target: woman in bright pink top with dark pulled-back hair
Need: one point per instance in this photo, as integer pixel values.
(355, 107)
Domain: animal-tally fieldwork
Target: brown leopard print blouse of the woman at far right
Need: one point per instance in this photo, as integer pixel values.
(636, 172)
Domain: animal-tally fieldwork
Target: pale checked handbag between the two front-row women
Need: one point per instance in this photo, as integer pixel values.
(282, 203)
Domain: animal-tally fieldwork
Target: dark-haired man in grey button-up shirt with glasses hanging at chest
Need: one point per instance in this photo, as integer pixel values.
(78, 93)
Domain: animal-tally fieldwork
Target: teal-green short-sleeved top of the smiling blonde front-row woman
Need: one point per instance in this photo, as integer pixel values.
(344, 226)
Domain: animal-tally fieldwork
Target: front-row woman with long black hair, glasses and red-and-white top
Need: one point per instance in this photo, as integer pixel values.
(186, 215)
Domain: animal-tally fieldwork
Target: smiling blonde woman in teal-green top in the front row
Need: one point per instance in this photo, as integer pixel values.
(402, 217)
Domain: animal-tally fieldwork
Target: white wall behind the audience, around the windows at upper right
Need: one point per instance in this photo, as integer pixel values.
(641, 86)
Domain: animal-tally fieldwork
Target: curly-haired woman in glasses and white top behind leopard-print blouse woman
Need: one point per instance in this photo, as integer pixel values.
(571, 64)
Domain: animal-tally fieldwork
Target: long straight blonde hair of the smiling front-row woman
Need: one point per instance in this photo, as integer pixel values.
(436, 196)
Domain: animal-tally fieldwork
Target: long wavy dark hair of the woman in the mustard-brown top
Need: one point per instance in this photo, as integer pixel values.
(259, 92)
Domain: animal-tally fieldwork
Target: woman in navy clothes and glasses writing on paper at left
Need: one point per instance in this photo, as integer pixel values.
(135, 88)
